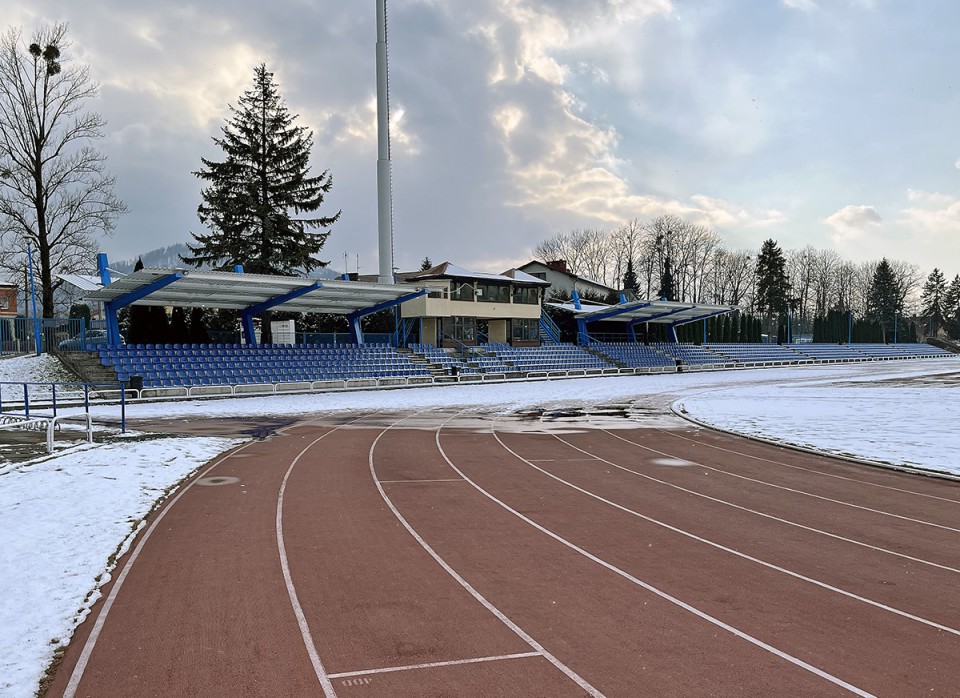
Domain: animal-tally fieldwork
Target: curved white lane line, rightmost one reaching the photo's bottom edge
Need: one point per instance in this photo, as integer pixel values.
(662, 594)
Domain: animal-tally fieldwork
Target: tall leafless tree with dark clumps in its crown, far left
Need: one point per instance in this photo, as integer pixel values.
(54, 188)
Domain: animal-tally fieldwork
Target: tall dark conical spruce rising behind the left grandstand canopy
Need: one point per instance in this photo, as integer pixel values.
(258, 201)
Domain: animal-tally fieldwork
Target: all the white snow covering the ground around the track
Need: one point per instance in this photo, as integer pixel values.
(62, 518)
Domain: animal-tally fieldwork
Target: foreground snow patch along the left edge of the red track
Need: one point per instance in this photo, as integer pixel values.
(61, 519)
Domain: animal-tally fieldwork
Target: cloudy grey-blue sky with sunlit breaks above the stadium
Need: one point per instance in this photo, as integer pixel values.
(834, 123)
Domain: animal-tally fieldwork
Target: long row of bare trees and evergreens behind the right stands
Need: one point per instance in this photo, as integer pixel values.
(673, 258)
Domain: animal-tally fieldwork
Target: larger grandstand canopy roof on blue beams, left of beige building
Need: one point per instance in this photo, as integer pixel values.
(221, 289)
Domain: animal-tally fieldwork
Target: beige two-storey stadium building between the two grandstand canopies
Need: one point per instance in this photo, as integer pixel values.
(507, 304)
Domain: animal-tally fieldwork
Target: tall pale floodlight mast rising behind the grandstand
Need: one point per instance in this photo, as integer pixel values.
(384, 186)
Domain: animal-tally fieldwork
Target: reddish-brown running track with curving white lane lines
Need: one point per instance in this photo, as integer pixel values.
(418, 555)
